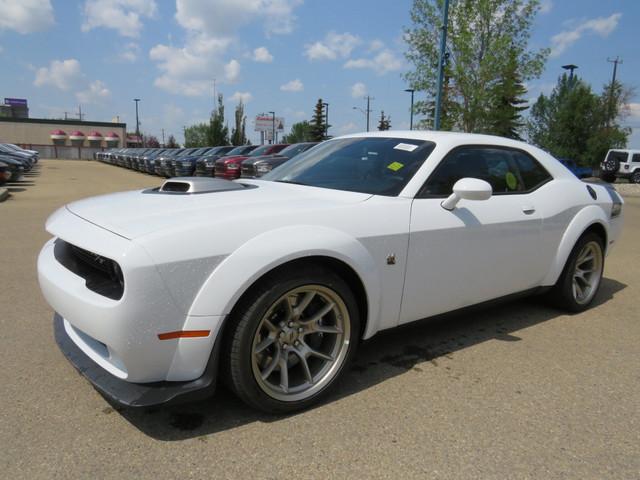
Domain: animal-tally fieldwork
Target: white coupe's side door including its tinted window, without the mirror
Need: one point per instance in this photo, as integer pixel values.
(482, 249)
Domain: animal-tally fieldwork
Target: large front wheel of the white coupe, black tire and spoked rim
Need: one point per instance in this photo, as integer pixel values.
(291, 339)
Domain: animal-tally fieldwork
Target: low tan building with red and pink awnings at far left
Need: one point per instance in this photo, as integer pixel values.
(70, 138)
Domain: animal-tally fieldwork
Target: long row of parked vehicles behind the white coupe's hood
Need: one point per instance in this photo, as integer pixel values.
(228, 162)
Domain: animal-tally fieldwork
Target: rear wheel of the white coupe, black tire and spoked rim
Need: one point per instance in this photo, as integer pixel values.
(580, 279)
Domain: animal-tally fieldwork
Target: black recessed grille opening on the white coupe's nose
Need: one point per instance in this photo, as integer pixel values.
(102, 275)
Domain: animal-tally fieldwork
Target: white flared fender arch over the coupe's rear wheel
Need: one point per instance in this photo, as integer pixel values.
(586, 218)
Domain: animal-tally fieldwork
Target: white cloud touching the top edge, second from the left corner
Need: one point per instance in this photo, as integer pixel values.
(121, 15)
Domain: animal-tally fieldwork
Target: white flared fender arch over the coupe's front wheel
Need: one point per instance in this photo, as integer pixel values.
(242, 268)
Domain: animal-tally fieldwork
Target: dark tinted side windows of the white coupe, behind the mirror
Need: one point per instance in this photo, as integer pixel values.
(507, 171)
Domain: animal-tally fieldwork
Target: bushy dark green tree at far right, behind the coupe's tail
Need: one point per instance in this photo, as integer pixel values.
(574, 122)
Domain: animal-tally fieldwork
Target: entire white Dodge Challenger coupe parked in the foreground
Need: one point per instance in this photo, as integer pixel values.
(271, 284)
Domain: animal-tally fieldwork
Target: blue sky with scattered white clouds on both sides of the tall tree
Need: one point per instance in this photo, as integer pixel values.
(275, 55)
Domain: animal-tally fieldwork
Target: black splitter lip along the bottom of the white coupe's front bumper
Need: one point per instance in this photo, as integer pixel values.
(136, 394)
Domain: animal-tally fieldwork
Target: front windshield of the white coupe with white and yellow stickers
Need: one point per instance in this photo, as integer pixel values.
(376, 165)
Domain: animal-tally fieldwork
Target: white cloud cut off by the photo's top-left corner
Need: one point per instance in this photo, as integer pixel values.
(26, 16)
